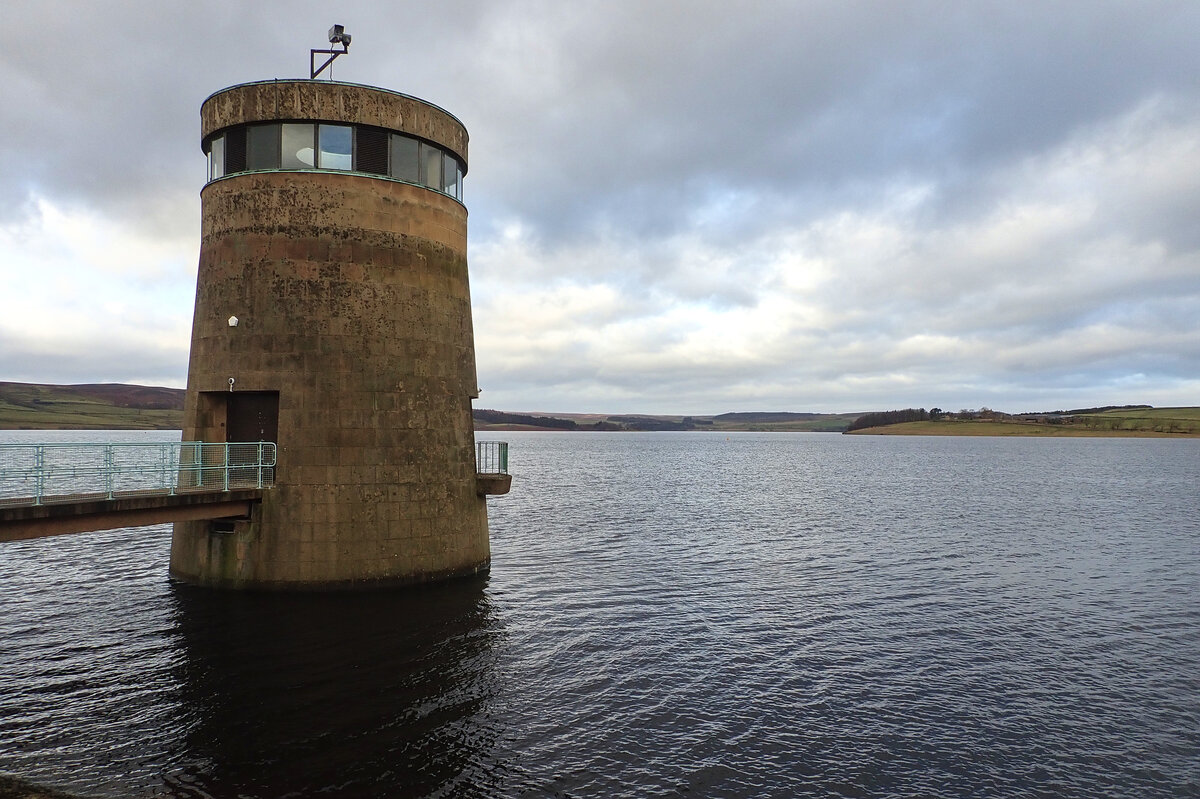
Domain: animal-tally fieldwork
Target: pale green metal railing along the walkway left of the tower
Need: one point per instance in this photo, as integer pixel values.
(41, 473)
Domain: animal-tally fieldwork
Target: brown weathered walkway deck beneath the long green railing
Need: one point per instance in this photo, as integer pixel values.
(23, 522)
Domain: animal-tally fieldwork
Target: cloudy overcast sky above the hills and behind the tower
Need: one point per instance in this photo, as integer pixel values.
(675, 207)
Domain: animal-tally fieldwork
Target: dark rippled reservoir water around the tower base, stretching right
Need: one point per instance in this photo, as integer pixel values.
(668, 616)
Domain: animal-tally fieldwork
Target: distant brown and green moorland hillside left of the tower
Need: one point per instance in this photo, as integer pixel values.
(105, 406)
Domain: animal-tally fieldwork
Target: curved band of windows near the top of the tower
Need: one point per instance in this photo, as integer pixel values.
(344, 148)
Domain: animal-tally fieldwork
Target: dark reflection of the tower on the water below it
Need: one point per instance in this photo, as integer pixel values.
(358, 695)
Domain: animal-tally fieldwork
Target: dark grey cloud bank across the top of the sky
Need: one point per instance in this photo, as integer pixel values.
(617, 115)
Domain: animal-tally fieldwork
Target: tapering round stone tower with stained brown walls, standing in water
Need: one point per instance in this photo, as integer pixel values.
(334, 231)
